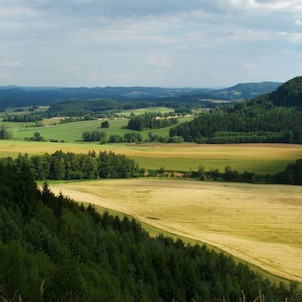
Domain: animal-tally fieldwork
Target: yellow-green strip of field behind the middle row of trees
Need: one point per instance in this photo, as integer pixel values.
(259, 158)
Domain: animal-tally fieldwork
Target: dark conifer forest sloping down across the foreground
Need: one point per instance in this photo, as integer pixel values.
(52, 249)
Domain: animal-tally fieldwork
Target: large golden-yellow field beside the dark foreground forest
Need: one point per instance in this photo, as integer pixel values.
(260, 224)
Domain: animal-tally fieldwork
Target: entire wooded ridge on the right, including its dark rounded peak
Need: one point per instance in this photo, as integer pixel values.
(270, 118)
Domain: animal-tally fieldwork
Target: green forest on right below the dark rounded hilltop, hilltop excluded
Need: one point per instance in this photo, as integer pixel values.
(218, 127)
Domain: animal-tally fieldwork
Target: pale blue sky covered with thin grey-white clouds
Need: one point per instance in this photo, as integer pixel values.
(167, 43)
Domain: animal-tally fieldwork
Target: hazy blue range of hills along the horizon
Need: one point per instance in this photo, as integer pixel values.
(14, 96)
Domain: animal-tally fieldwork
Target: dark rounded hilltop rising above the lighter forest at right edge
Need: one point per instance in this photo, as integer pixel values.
(289, 93)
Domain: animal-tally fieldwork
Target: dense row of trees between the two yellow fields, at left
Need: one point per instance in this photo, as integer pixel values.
(62, 165)
